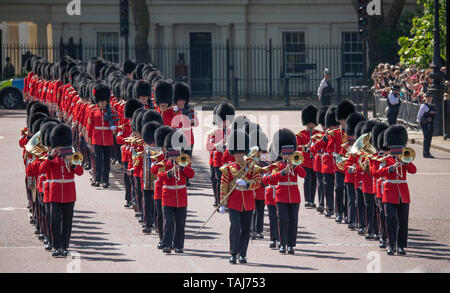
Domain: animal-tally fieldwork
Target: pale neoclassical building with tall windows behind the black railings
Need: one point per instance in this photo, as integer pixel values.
(257, 42)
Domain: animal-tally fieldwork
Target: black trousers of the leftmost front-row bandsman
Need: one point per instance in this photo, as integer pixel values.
(62, 216)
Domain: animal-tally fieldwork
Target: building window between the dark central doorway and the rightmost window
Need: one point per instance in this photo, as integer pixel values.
(294, 52)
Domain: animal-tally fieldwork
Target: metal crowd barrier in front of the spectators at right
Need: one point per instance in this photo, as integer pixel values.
(407, 114)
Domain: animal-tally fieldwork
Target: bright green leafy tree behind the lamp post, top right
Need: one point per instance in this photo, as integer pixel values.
(417, 47)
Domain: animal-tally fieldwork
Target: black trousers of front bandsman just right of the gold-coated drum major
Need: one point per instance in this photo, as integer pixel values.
(288, 223)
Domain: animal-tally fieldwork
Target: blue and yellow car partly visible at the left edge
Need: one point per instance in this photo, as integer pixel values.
(11, 93)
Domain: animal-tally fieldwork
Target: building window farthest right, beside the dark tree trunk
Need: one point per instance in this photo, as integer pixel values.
(352, 54)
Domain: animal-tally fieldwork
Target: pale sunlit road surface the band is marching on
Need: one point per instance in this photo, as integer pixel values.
(107, 238)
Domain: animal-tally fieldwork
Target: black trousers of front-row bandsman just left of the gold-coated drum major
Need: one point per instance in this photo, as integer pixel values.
(174, 226)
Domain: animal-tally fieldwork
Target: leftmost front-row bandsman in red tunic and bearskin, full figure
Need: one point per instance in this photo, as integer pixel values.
(62, 187)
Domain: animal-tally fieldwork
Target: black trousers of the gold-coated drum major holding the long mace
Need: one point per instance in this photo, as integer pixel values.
(239, 231)
